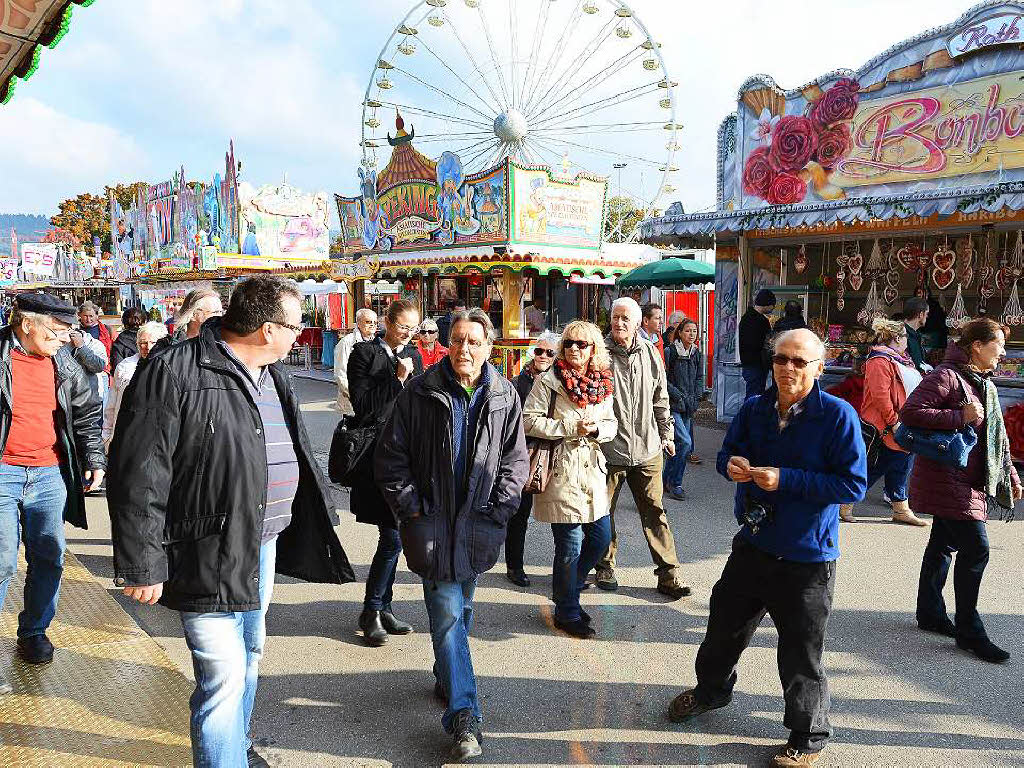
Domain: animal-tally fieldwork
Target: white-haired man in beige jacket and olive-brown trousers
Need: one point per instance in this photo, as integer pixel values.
(646, 430)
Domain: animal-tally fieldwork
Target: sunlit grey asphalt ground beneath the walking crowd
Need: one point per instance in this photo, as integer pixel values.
(901, 697)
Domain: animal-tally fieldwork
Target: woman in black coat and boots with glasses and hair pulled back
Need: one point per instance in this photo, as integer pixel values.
(377, 372)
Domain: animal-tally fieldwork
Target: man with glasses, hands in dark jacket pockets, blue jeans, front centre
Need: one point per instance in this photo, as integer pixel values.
(452, 462)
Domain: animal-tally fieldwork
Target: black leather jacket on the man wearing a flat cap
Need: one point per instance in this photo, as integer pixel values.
(78, 428)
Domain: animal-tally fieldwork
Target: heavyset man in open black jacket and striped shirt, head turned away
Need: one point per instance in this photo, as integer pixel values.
(214, 487)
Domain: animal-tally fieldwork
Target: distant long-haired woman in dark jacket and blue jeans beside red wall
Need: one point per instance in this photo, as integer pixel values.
(685, 366)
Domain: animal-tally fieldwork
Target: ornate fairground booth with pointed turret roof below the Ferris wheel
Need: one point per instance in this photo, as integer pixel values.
(504, 239)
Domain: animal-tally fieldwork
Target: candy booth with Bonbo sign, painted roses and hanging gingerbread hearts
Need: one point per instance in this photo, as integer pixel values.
(864, 188)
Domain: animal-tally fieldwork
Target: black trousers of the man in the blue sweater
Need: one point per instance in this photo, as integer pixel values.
(798, 598)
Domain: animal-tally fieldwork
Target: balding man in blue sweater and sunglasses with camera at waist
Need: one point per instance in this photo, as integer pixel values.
(796, 454)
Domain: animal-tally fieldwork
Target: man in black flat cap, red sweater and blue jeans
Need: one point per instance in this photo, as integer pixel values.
(50, 434)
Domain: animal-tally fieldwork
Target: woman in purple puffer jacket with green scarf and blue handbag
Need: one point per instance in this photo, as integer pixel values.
(958, 393)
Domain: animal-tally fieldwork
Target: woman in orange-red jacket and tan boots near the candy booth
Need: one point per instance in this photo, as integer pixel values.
(890, 377)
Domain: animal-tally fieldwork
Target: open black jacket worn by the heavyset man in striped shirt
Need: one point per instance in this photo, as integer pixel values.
(188, 485)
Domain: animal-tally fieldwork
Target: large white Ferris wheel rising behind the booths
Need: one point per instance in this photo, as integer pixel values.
(578, 86)
